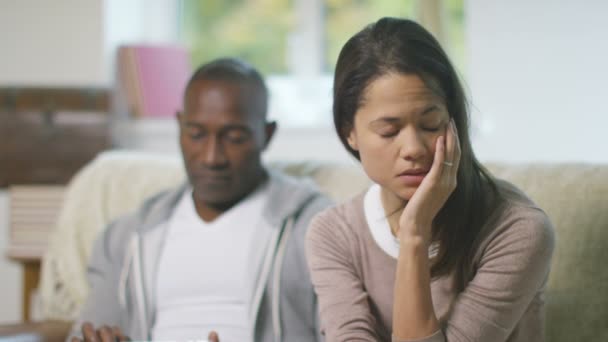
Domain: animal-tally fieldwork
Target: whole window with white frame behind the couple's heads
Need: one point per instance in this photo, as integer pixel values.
(295, 43)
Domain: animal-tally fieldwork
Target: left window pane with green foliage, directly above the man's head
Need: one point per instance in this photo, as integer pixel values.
(255, 30)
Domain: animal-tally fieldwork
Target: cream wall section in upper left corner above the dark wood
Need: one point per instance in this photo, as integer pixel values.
(55, 43)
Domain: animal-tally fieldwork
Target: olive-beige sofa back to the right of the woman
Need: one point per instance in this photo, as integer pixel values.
(575, 197)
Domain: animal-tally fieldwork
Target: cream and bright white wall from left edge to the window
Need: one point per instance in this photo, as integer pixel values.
(73, 42)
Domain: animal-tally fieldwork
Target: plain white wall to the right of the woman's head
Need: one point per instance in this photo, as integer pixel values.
(538, 72)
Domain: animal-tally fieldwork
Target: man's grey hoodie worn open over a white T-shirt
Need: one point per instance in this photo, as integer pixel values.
(124, 262)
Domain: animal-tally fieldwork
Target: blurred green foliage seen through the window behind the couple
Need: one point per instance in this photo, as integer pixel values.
(258, 30)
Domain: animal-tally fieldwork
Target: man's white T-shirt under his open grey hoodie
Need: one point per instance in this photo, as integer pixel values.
(205, 272)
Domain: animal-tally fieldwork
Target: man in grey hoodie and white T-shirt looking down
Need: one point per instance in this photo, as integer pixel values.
(224, 252)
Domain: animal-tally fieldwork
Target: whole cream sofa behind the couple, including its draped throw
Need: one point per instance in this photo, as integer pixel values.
(574, 195)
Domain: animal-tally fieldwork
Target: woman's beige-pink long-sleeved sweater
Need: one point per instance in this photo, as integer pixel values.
(354, 278)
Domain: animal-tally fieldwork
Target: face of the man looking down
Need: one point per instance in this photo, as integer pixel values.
(222, 137)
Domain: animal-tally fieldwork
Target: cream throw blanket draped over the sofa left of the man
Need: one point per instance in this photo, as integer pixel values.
(112, 185)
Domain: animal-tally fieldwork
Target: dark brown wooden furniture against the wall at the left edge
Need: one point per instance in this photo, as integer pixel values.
(50, 133)
